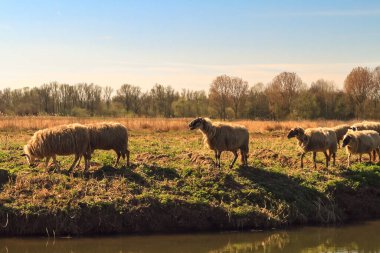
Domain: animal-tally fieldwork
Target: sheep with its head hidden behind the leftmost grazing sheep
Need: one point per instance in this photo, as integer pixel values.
(109, 135)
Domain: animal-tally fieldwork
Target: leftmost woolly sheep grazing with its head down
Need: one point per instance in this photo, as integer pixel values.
(59, 140)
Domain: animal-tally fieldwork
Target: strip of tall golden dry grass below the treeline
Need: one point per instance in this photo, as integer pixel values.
(8, 123)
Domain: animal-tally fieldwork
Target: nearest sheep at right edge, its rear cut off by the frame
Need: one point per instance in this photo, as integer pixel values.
(362, 142)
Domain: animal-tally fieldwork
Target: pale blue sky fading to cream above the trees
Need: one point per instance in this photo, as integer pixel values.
(185, 44)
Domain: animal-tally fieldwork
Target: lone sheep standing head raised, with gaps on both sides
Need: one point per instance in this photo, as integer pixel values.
(221, 137)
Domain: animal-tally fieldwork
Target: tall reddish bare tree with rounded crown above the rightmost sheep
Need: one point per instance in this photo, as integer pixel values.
(359, 85)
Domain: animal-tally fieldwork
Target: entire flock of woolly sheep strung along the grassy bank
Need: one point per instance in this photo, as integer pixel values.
(82, 140)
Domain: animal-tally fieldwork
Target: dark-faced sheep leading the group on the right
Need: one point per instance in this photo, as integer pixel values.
(316, 140)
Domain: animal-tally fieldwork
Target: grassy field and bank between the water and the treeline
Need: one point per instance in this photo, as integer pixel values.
(172, 184)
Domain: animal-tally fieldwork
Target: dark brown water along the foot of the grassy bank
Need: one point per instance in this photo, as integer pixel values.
(364, 237)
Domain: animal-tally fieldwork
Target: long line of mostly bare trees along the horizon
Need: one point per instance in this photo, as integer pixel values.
(285, 97)
